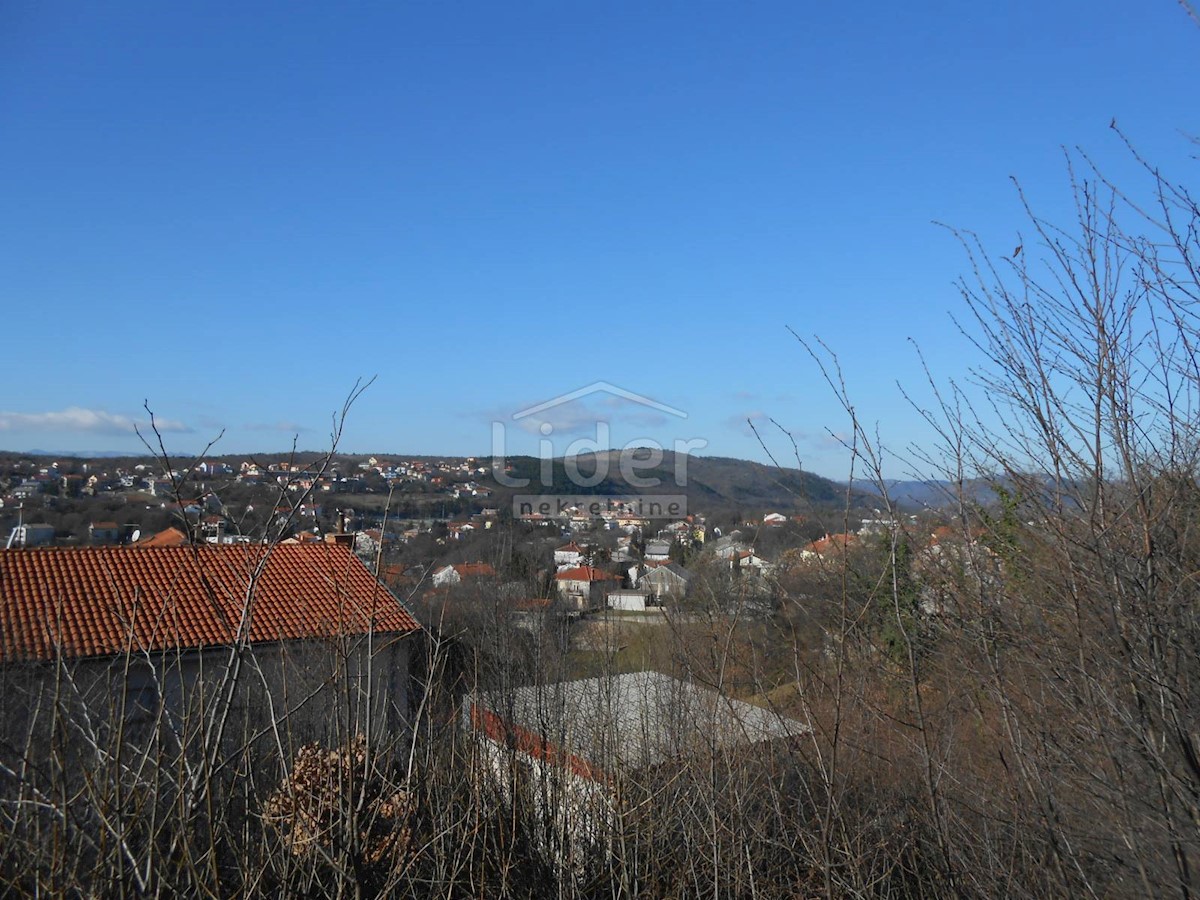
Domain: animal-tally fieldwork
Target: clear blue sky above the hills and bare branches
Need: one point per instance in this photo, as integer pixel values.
(236, 212)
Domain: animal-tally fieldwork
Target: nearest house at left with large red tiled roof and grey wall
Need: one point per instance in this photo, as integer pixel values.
(147, 634)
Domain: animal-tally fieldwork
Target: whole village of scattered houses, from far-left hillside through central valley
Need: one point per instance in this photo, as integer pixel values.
(433, 530)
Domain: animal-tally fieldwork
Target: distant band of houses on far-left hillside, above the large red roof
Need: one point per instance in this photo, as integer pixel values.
(73, 502)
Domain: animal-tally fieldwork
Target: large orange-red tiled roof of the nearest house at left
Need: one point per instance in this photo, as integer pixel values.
(92, 602)
